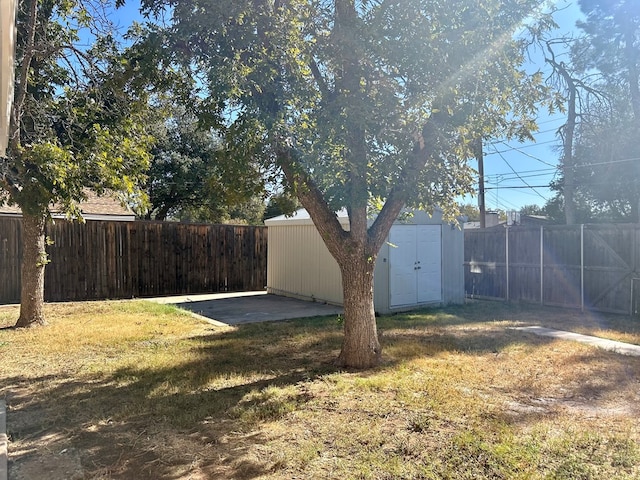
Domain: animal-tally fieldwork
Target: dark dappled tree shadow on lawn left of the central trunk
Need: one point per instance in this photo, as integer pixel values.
(217, 399)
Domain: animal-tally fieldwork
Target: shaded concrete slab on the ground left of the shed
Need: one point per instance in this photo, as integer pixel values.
(249, 307)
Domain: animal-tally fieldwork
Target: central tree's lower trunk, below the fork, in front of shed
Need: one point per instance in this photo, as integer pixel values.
(360, 345)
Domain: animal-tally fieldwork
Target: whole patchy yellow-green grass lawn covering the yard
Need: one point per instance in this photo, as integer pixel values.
(136, 390)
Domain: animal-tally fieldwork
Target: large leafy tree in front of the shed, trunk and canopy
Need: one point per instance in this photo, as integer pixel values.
(368, 105)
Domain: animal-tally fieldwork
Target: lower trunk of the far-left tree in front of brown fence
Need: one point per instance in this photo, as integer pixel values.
(34, 259)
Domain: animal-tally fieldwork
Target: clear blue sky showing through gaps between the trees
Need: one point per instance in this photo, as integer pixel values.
(516, 174)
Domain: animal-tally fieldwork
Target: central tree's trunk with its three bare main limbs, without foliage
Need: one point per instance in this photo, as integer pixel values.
(356, 250)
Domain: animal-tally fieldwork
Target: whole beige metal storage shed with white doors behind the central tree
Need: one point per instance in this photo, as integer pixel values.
(420, 264)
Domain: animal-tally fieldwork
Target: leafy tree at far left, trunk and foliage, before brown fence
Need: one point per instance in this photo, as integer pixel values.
(77, 122)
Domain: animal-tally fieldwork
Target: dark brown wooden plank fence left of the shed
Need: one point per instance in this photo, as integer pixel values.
(108, 259)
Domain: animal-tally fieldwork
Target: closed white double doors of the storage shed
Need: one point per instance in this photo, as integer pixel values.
(415, 274)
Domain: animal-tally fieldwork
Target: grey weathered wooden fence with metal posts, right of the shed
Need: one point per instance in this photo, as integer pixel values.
(579, 266)
